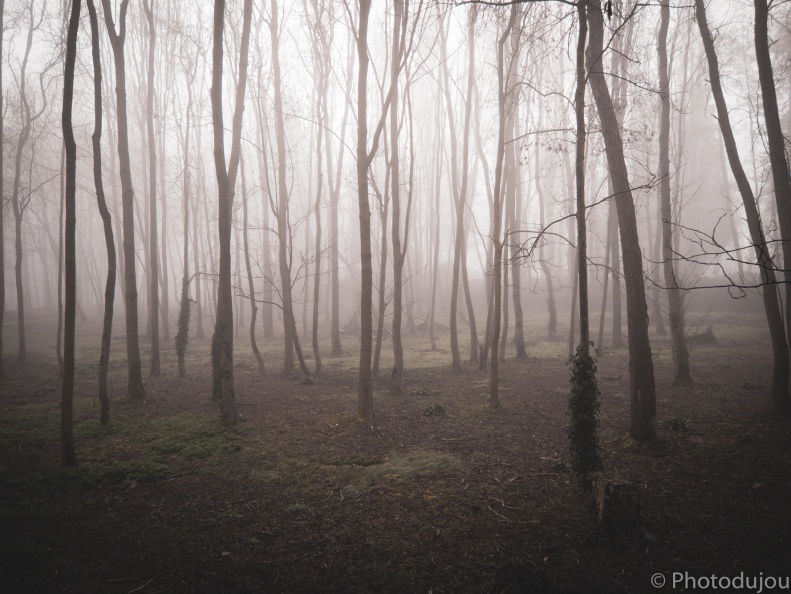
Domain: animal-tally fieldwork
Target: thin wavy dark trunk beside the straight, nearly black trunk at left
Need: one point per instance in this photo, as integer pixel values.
(109, 240)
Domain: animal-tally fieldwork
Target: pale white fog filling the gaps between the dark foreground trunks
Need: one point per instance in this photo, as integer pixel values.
(302, 160)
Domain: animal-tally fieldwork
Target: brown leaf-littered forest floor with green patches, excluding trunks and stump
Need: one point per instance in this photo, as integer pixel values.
(440, 495)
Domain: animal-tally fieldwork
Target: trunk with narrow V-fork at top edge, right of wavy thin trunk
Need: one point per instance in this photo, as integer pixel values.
(135, 390)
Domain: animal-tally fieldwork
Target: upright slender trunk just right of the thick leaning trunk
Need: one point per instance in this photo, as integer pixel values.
(674, 294)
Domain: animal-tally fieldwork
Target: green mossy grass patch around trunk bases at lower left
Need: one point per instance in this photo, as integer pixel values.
(133, 448)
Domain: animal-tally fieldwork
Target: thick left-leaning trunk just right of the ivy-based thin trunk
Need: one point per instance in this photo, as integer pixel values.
(641, 366)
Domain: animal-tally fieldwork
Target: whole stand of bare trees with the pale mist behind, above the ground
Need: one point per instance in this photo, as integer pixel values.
(326, 175)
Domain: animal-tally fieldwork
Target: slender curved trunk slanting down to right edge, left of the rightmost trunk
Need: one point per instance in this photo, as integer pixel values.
(772, 307)
